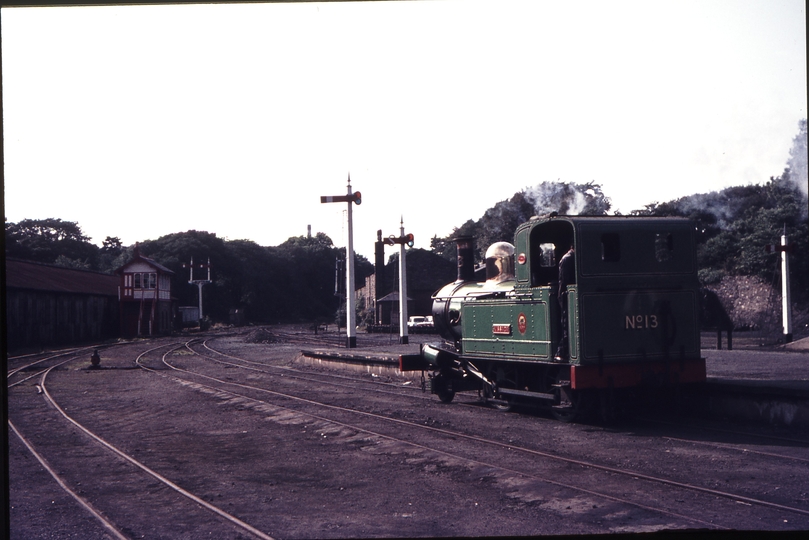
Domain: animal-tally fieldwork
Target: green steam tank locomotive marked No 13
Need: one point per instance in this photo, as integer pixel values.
(626, 316)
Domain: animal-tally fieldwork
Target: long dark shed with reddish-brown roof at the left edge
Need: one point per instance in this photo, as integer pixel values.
(49, 305)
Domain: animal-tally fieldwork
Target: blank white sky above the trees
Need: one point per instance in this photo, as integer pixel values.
(141, 121)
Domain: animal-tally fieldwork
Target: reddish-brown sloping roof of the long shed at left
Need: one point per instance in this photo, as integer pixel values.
(44, 277)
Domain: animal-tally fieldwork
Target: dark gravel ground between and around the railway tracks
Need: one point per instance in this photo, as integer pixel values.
(293, 475)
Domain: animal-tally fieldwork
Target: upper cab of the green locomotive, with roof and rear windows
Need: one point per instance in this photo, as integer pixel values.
(605, 247)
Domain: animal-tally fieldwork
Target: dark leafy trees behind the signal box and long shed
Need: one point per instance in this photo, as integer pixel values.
(287, 283)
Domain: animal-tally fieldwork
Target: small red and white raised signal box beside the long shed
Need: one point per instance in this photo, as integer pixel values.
(145, 301)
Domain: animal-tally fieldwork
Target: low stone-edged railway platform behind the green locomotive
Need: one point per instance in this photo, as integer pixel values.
(752, 382)
